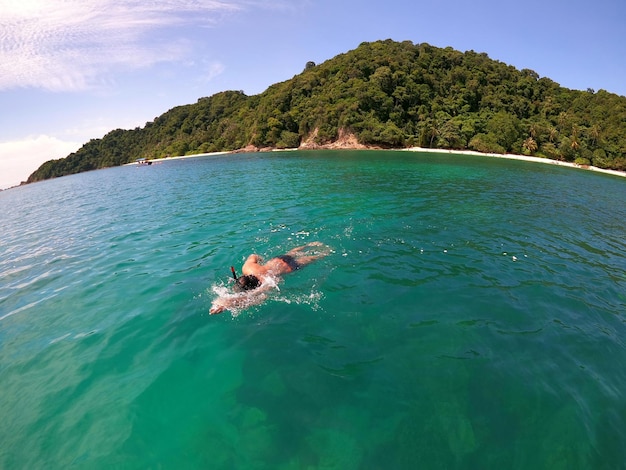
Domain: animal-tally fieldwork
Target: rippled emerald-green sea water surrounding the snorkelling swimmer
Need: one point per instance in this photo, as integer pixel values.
(471, 315)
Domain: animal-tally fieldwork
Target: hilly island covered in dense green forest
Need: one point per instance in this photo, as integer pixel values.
(385, 94)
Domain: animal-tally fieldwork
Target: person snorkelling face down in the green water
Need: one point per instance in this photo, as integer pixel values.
(258, 278)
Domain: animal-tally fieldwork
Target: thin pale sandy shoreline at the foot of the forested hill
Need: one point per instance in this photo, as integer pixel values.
(506, 156)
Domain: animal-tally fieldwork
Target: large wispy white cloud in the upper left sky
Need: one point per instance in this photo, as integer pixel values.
(69, 45)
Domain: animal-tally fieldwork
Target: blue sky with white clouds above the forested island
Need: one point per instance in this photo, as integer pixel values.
(72, 70)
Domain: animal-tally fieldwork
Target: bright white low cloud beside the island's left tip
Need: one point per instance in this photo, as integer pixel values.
(19, 159)
